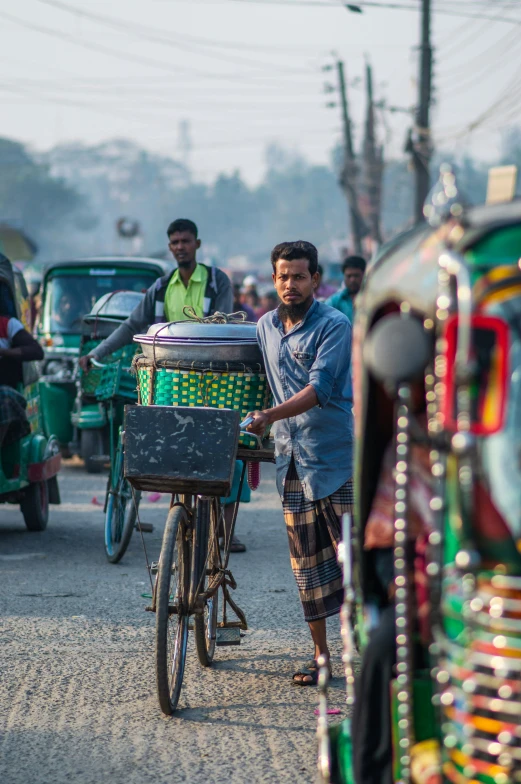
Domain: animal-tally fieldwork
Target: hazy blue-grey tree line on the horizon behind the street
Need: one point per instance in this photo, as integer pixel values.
(69, 199)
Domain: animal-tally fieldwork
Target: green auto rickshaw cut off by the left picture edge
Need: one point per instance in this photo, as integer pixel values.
(29, 459)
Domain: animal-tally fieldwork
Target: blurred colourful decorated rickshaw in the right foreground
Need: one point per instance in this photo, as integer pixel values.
(437, 371)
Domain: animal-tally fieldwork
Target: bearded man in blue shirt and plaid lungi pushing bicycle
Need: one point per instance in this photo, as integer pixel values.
(306, 347)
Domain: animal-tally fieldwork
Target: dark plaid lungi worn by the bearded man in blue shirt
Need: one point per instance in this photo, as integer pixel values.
(314, 531)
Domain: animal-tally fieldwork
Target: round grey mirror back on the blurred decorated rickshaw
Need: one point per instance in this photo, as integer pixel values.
(397, 349)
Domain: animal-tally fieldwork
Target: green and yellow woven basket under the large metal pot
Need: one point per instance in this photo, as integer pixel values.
(242, 391)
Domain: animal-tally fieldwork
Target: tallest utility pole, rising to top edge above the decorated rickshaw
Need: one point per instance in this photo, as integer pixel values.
(420, 148)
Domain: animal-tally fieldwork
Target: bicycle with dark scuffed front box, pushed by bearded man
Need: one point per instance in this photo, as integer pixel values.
(191, 571)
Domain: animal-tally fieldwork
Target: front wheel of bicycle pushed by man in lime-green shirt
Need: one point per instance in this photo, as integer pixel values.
(120, 514)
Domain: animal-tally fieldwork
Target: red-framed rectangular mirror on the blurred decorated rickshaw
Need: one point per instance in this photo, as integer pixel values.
(475, 396)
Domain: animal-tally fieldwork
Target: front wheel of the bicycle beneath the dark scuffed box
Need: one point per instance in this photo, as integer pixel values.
(172, 589)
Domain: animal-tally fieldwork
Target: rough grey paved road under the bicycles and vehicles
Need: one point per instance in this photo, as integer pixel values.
(77, 691)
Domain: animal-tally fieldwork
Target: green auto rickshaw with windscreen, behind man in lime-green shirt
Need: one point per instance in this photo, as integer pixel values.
(69, 291)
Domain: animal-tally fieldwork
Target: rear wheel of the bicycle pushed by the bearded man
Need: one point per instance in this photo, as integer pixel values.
(205, 625)
